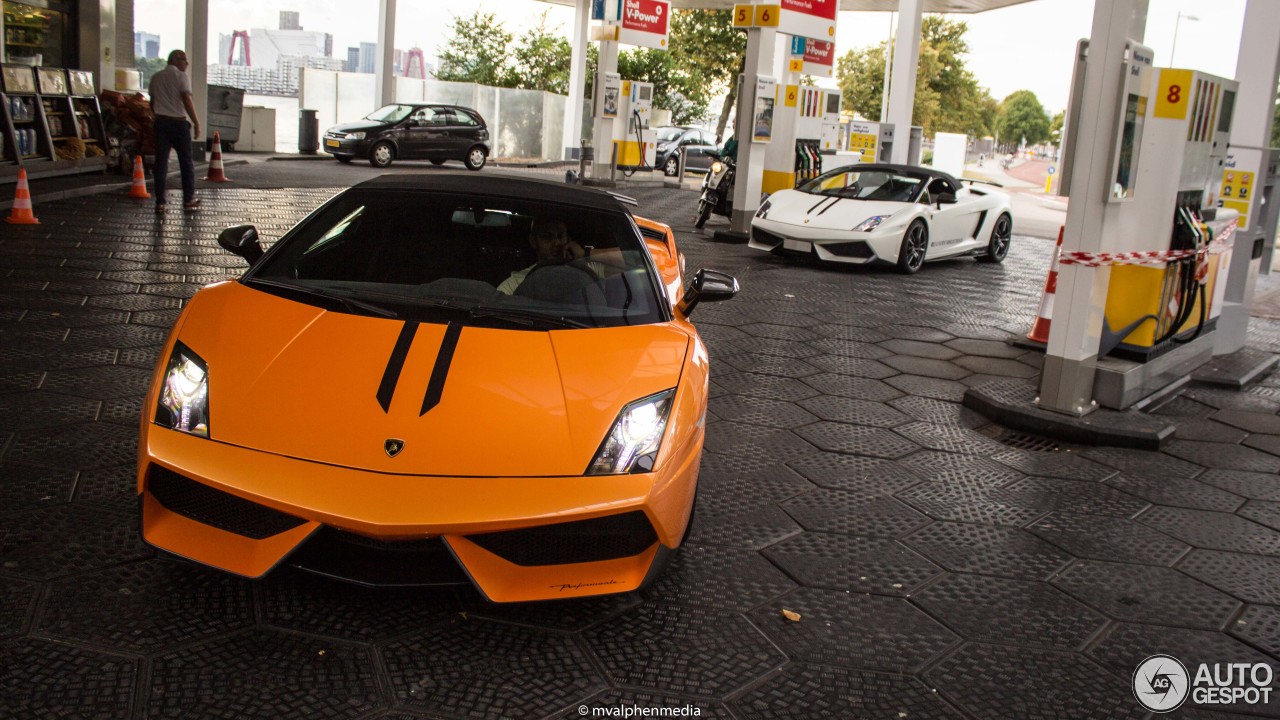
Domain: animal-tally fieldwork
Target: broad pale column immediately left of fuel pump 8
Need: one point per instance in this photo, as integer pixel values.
(1071, 362)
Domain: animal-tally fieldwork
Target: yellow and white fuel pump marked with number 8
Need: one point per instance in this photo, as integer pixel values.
(1167, 293)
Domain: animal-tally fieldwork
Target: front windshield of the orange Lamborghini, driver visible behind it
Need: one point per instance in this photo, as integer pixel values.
(497, 262)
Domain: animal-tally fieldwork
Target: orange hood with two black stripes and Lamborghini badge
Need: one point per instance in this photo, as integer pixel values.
(299, 381)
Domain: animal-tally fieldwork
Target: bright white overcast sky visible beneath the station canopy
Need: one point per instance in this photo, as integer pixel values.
(1027, 47)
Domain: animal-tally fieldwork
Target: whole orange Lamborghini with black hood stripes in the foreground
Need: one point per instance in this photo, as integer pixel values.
(438, 379)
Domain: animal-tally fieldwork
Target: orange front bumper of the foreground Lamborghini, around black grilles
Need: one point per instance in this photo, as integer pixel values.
(406, 508)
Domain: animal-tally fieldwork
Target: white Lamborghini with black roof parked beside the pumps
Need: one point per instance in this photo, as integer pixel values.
(881, 213)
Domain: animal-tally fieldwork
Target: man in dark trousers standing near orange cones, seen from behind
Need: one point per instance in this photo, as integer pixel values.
(172, 106)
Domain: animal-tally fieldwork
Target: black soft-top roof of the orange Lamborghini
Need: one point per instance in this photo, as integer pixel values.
(496, 185)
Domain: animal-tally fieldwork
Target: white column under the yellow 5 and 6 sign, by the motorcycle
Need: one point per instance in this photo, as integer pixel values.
(761, 51)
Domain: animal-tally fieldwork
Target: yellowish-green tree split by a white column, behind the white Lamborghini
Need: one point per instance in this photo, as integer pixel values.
(948, 97)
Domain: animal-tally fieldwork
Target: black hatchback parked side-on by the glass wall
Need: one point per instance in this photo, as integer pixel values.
(413, 133)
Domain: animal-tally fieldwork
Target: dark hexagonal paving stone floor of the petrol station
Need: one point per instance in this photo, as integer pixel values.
(943, 567)
